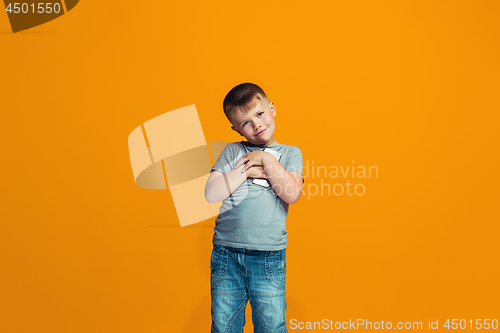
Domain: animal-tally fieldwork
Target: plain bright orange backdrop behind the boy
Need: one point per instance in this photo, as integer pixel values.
(410, 87)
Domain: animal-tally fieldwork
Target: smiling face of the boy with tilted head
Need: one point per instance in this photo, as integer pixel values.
(257, 126)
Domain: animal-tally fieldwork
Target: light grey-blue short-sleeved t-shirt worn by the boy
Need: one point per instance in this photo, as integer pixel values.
(253, 216)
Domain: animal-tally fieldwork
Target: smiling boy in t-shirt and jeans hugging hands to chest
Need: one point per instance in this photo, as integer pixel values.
(249, 244)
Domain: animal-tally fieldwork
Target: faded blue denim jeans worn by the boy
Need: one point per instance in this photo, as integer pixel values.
(240, 275)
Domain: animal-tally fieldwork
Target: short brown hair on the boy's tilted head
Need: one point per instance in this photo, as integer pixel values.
(243, 97)
